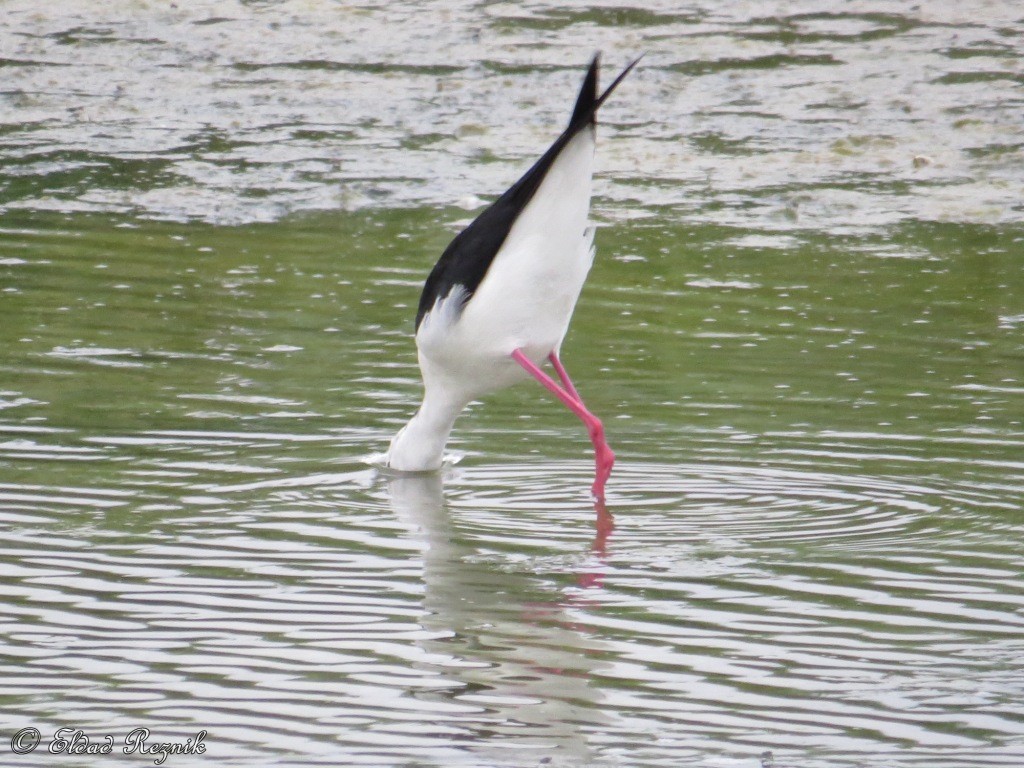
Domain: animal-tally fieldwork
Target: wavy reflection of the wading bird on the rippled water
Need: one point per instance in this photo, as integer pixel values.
(505, 636)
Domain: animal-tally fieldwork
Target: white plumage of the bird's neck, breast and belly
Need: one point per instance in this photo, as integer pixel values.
(525, 302)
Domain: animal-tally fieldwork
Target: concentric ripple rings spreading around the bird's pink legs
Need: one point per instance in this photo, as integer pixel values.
(753, 504)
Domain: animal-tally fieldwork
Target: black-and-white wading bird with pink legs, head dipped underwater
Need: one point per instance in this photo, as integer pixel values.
(497, 306)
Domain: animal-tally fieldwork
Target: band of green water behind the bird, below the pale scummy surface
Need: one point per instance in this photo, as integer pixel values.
(684, 333)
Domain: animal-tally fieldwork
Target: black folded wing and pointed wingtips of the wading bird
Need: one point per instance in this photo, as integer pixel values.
(466, 261)
